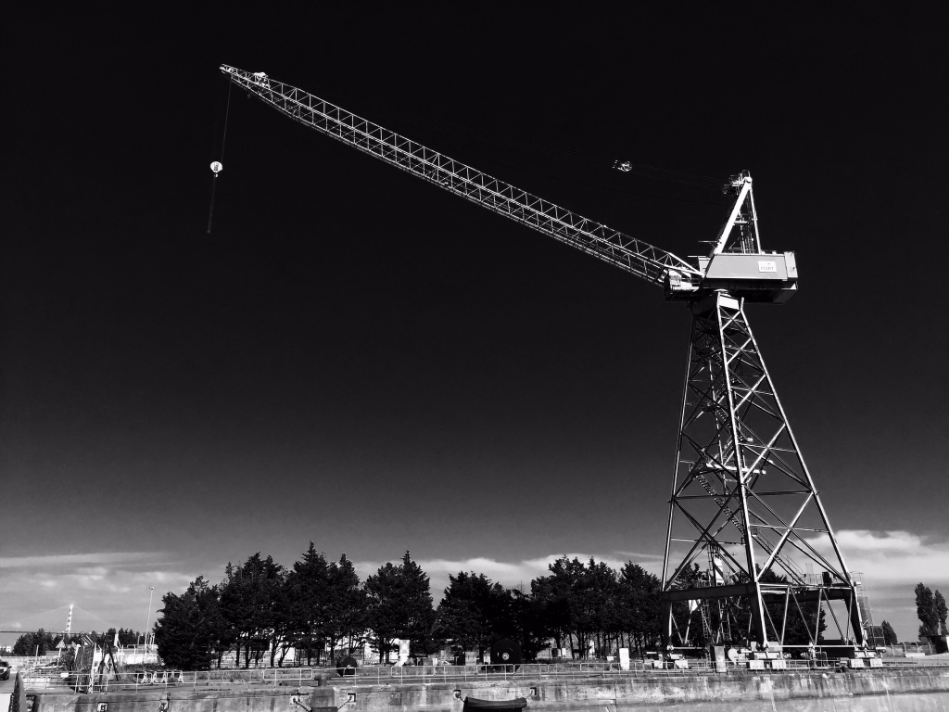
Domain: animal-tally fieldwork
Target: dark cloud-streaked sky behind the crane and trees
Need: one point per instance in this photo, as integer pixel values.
(356, 358)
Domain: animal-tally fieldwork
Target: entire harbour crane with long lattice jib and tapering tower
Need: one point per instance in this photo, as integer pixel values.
(743, 502)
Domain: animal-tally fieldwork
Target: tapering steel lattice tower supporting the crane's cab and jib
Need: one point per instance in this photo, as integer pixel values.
(744, 505)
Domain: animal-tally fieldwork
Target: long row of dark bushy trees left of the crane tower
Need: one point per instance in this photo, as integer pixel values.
(322, 610)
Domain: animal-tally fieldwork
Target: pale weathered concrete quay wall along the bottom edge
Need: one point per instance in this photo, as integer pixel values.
(878, 691)
